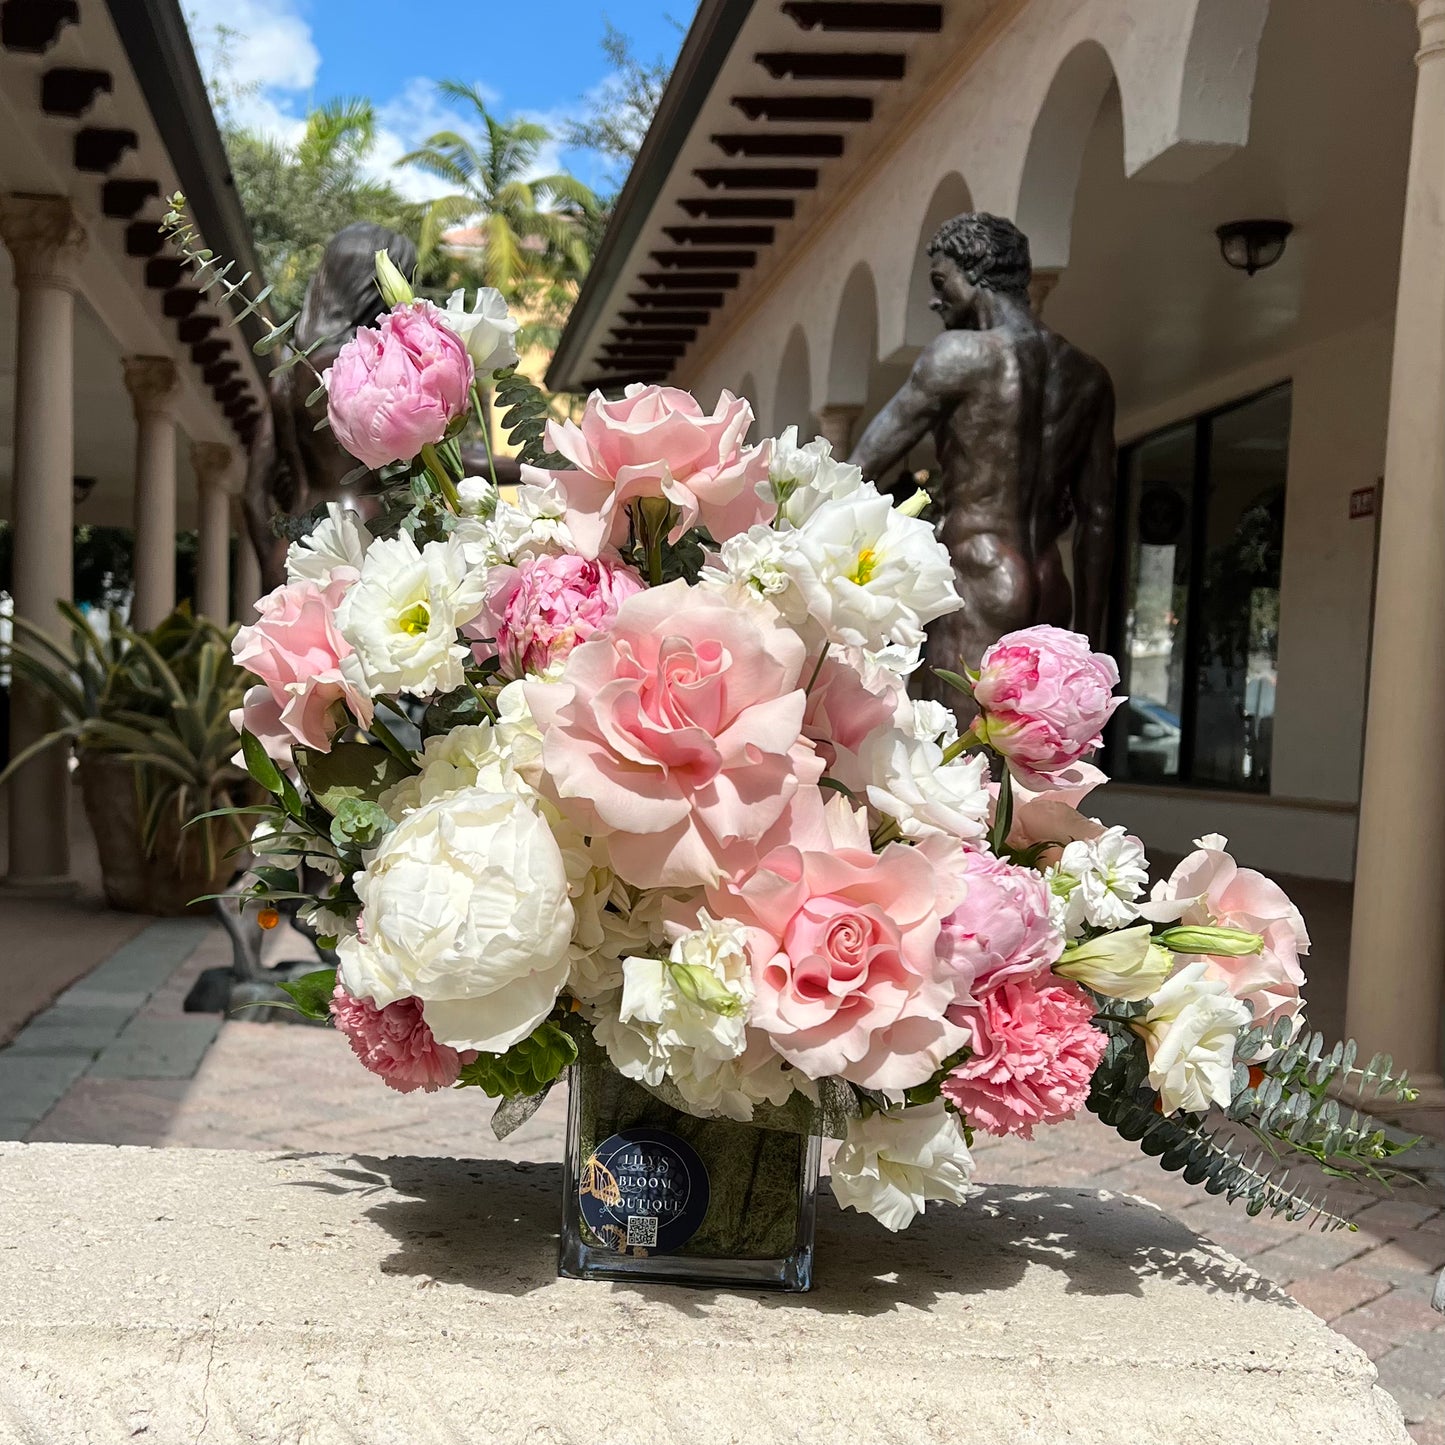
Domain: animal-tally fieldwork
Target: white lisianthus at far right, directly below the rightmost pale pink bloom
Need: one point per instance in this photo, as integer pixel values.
(1190, 1034)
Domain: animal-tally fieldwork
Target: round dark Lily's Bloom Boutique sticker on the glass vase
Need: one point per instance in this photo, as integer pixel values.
(644, 1191)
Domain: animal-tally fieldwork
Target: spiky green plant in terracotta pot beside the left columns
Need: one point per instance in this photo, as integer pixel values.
(150, 717)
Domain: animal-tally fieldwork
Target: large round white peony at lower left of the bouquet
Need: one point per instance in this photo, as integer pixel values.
(466, 908)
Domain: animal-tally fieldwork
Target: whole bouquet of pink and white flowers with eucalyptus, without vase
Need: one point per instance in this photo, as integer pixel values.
(628, 762)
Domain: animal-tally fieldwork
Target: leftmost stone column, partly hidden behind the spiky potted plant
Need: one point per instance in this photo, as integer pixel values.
(47, 242)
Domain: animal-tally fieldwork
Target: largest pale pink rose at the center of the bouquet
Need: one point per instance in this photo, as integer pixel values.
(677, 736)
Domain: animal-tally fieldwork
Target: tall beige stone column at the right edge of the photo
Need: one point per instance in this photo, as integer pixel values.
(1398, 937)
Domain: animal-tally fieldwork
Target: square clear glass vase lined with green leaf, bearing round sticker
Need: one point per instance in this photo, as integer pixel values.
(654, 1194)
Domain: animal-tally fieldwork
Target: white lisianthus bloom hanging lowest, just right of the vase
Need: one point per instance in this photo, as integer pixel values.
(892, 1163)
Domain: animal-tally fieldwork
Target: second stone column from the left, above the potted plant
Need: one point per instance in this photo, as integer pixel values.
(154, 385)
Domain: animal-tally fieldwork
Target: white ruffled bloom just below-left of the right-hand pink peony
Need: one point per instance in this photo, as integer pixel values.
(910, 782)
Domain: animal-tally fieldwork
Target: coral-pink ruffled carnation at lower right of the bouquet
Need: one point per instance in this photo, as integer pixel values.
(1034, 1054)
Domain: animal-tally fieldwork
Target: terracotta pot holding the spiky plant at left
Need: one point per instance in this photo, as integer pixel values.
(135, 884)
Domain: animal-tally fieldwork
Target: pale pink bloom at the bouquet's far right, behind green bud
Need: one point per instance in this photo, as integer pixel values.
(1210, 888)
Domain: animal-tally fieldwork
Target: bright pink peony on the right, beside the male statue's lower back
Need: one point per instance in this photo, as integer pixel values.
(1044, 700)
